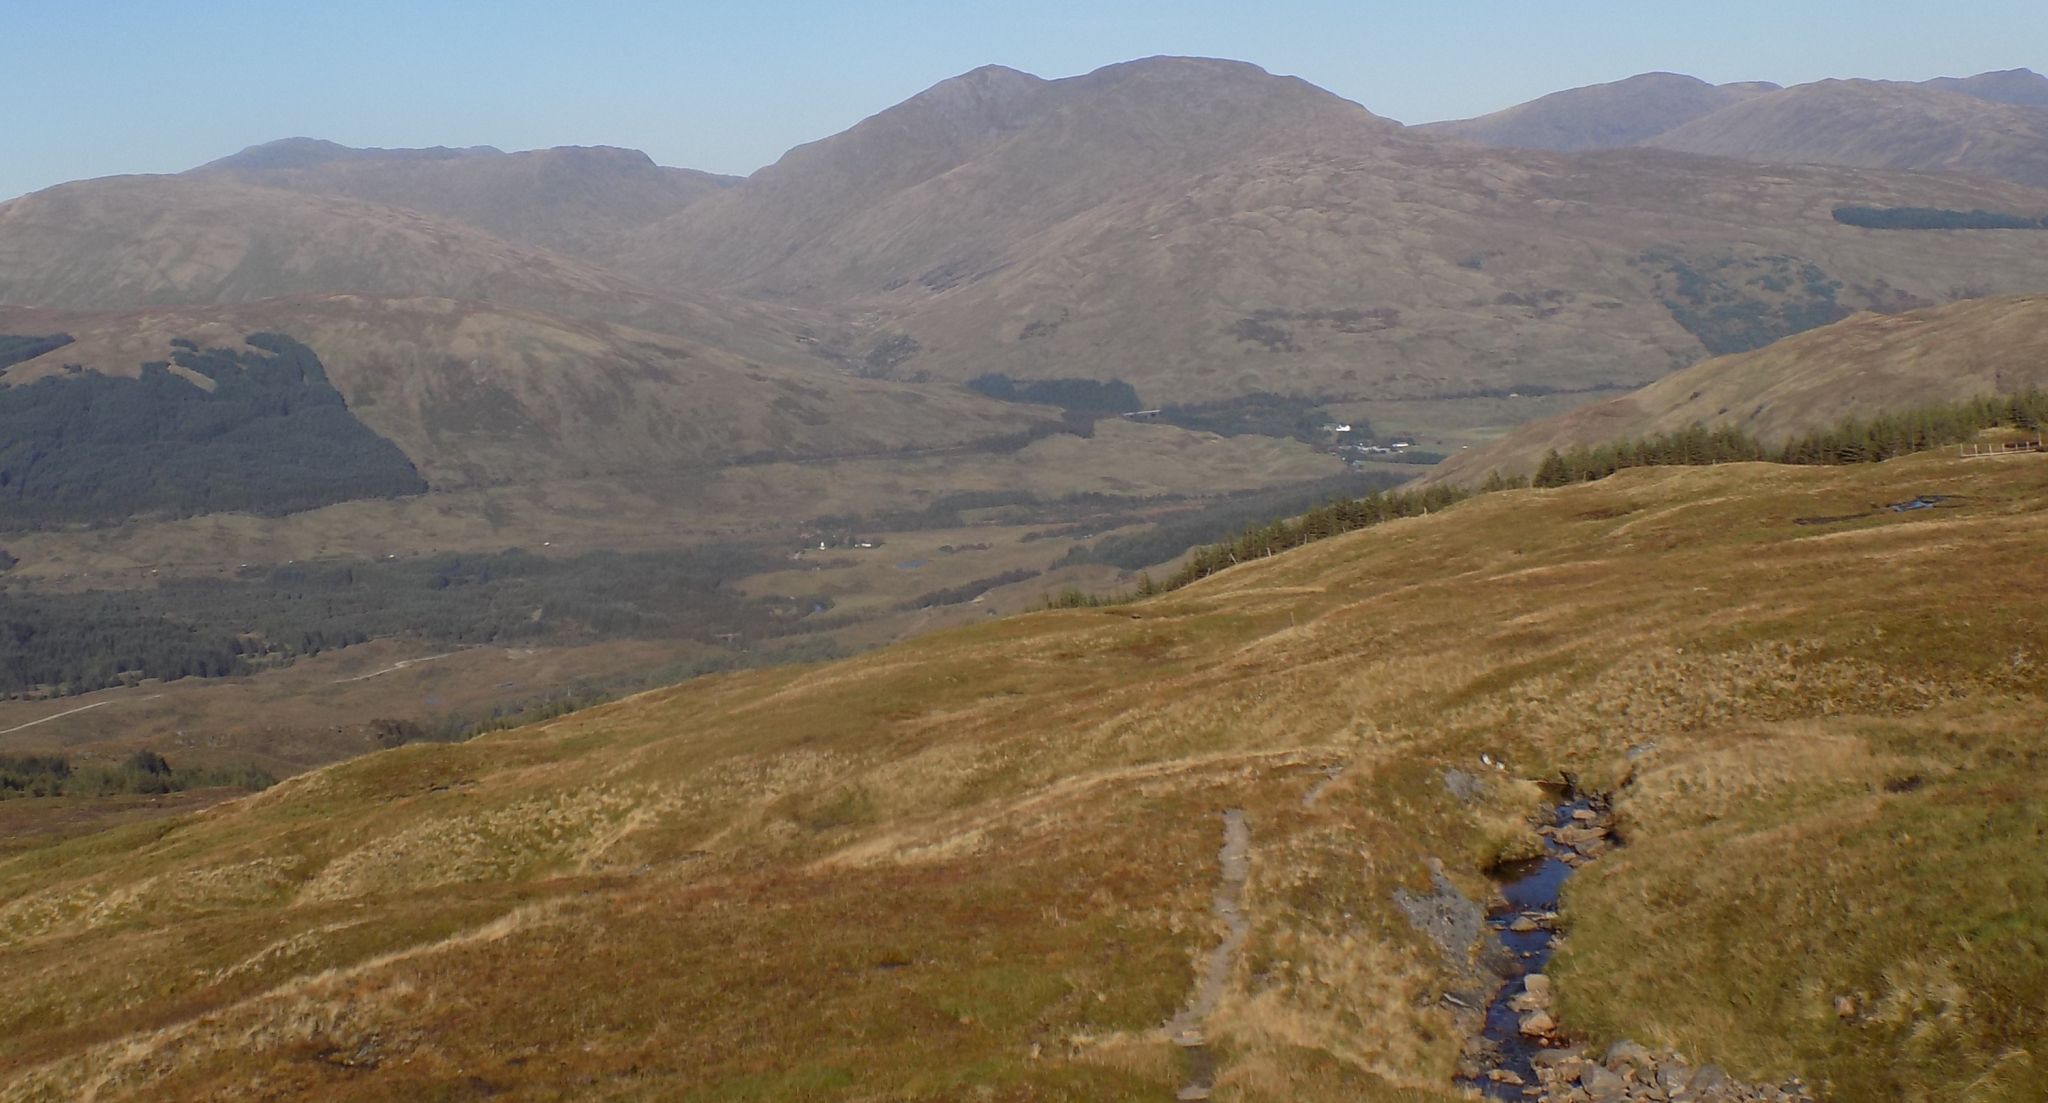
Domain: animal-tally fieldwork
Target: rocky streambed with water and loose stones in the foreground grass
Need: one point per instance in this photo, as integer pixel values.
(1521, 1051)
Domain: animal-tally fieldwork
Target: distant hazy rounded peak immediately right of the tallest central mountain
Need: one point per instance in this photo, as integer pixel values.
(1601, 116)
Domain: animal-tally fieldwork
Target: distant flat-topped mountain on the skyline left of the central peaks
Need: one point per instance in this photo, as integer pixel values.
(568, 200)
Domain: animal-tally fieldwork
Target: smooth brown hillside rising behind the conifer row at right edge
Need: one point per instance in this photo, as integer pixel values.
(1854, 369)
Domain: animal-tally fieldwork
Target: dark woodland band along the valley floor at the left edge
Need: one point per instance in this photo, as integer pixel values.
(83, 642)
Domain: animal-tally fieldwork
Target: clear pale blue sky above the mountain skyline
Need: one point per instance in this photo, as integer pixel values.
(101, 87)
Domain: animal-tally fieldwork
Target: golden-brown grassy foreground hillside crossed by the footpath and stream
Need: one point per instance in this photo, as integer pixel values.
(982, 863)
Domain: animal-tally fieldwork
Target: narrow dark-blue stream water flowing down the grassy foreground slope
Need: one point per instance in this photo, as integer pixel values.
(1531, 889)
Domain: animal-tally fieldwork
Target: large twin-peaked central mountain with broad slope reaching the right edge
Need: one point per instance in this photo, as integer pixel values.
(1205, 230)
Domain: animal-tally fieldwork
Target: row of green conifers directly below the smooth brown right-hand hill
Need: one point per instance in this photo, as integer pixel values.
(1848, 441)
